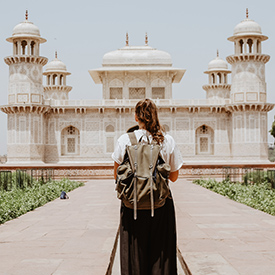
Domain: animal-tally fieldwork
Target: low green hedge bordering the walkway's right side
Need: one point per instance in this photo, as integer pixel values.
(259, 196)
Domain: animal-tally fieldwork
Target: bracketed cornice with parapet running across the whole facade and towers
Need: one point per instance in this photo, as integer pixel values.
(196, 107)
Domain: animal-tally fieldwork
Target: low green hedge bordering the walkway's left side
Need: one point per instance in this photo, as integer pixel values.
(19, 201)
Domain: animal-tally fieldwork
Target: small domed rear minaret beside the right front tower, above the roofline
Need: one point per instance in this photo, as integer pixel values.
(218, 87)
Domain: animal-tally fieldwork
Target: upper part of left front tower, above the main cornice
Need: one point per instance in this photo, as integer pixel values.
(25, 65)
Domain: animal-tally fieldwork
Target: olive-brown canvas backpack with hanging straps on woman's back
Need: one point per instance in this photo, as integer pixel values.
(142, 177)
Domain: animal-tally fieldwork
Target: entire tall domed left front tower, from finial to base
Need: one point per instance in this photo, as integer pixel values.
(25, 107)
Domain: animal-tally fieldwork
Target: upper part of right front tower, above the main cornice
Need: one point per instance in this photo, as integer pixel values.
(248, 63)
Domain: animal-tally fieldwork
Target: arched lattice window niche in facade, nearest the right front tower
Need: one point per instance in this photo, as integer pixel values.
(204, 140)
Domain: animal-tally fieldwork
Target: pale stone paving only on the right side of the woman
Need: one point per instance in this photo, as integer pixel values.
(219, 236)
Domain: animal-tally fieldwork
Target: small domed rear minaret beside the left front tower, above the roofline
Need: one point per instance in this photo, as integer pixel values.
(56, 73)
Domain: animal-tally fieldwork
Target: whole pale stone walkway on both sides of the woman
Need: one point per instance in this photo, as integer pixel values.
(76, 236)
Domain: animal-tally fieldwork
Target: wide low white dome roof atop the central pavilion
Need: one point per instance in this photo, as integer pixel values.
(137, 55)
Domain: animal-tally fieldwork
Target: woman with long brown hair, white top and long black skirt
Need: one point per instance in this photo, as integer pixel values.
(148, 244)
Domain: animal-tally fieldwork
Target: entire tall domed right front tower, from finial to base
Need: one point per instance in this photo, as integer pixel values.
(248, 106)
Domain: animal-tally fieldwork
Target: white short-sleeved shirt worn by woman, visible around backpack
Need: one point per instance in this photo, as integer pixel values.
(169, 150)
